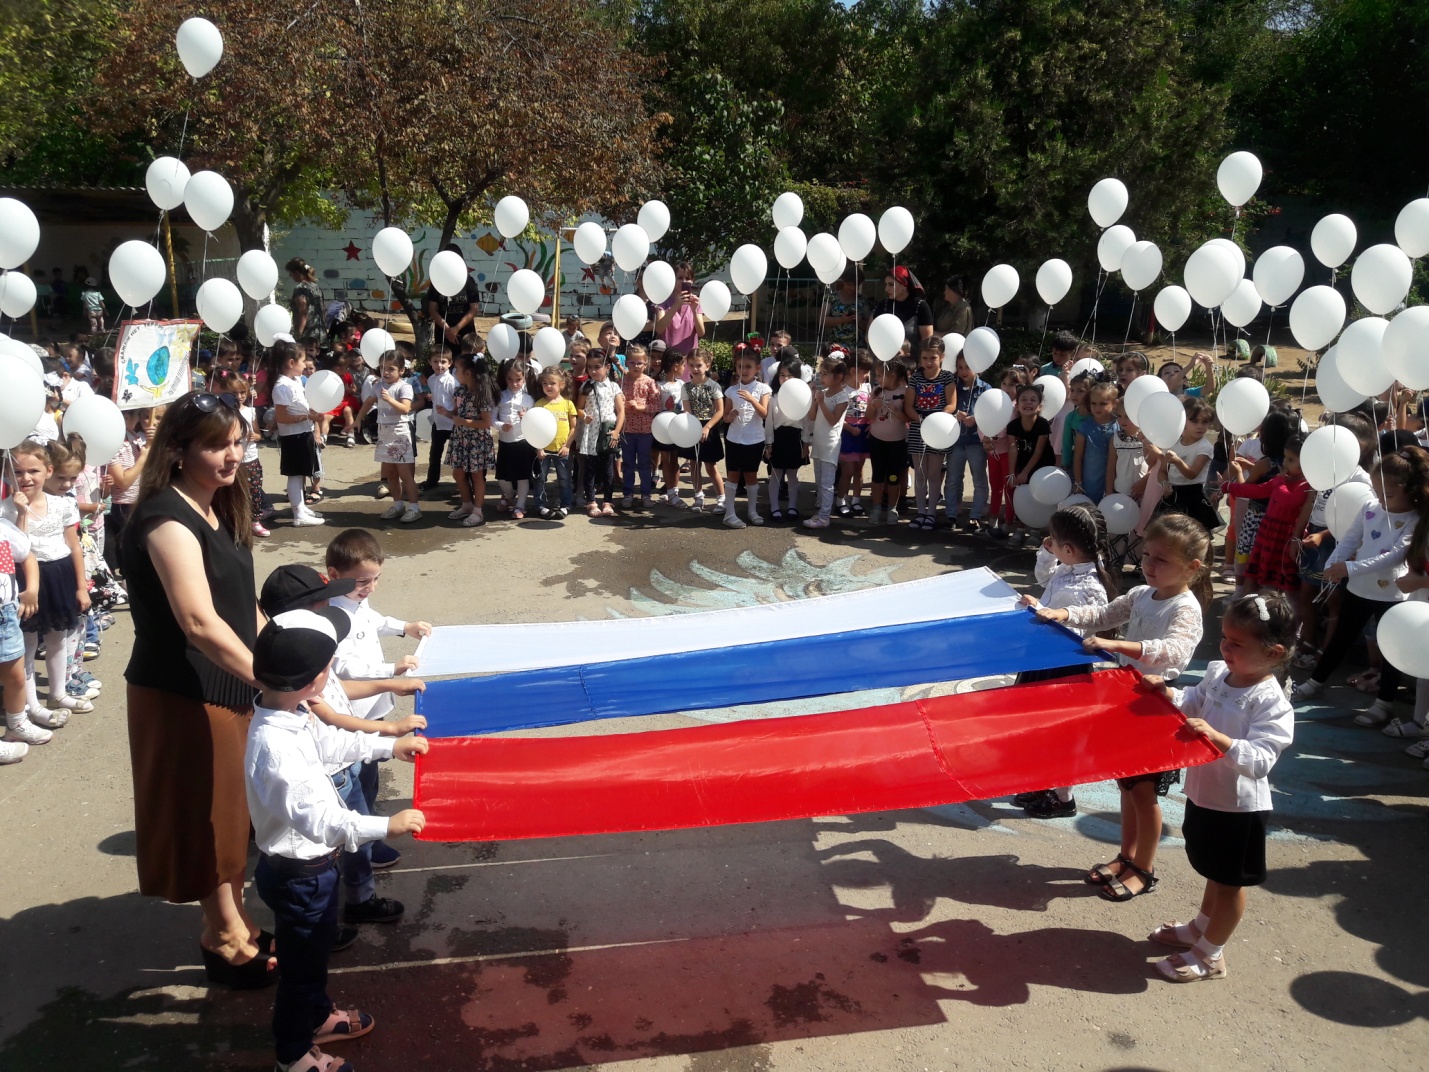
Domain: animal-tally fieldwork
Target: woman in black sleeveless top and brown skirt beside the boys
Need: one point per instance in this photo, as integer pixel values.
(189, 568)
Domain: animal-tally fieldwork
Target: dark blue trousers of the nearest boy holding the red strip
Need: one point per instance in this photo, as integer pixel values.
(304, 897)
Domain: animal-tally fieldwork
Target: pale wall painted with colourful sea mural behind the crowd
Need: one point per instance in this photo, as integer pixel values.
(348, 274)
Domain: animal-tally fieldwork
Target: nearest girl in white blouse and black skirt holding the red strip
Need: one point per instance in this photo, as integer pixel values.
(1241, 710)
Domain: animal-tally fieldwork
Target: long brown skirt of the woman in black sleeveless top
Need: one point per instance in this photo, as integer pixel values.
(191, 805)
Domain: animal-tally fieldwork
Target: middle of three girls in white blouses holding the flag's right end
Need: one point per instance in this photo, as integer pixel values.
(1164, 625)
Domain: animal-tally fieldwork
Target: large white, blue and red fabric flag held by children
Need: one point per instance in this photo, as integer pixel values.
(1082, 728)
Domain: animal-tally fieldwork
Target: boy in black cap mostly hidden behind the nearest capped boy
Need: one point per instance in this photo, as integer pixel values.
(304, 588)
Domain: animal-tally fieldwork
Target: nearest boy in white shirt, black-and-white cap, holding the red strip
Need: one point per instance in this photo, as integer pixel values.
(301, 827)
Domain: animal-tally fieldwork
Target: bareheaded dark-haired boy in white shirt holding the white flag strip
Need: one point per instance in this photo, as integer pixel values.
(357, 555)
